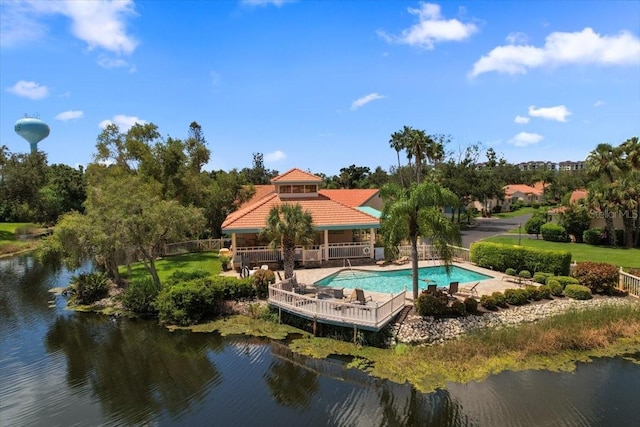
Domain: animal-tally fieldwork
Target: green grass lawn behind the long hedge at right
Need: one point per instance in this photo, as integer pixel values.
(579, 251)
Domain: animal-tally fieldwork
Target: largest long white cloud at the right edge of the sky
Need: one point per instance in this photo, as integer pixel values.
(584, 47)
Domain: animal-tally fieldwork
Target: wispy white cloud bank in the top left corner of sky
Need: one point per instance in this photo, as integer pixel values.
(100, 24)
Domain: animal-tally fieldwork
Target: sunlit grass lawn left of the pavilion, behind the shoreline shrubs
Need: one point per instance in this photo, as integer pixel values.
(207, 261)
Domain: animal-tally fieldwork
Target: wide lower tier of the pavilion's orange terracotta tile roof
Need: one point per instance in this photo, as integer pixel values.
(327, 214)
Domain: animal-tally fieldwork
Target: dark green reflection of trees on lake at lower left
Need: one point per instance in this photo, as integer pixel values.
(136, 369)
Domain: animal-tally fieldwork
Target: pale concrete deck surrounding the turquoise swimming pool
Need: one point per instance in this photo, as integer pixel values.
(485, 287)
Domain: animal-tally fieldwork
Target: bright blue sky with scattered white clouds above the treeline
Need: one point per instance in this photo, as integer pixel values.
(322, 85)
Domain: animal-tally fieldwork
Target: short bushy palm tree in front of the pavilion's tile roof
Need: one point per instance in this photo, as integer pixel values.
(288, 226)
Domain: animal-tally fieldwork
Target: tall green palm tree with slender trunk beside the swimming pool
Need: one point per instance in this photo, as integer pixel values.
(417, 211)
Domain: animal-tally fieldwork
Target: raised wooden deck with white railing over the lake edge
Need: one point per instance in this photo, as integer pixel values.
(325, 308)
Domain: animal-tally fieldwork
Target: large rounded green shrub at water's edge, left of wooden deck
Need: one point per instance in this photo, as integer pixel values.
(187, 303)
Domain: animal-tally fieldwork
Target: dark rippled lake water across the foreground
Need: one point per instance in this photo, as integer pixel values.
(61, 368)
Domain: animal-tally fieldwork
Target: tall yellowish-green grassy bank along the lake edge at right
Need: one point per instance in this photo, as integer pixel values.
(556, 343)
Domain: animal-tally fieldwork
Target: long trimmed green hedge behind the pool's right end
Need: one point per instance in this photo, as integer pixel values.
(500, 256)
